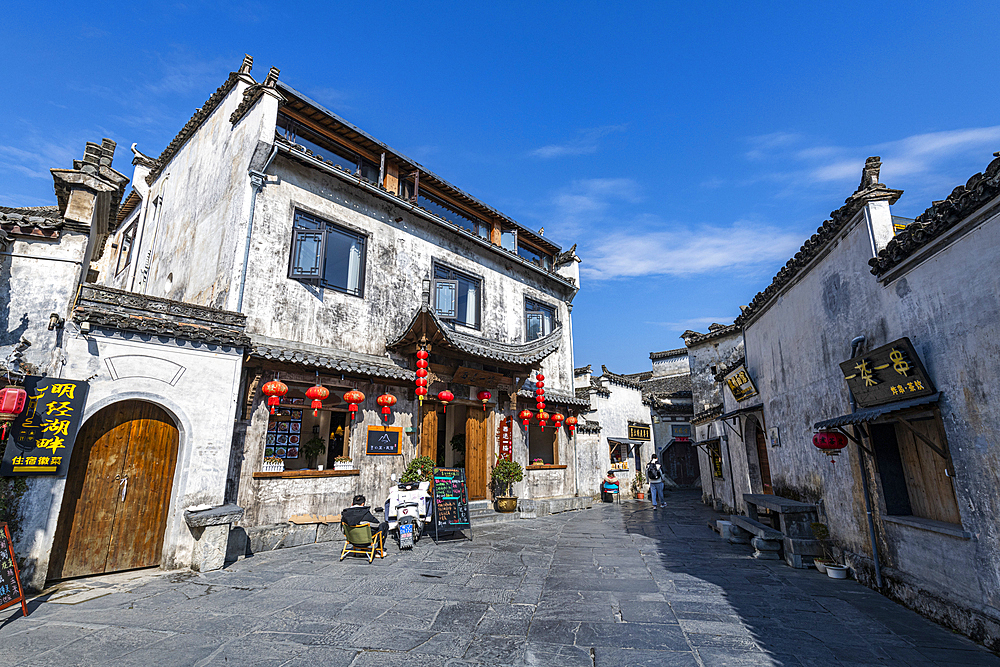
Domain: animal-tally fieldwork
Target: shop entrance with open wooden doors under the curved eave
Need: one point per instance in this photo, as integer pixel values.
(459, 438)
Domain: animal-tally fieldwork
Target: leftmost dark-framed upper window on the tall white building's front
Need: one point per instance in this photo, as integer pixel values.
(328, 254)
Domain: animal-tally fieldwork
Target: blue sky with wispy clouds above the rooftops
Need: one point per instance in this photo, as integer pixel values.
(687, 148)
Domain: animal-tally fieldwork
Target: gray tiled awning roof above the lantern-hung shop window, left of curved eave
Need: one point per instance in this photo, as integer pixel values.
(314, 356)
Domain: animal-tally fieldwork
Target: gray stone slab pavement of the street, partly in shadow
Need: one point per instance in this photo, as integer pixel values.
(615, 585)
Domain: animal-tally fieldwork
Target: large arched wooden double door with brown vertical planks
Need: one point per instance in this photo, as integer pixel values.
(114, 509)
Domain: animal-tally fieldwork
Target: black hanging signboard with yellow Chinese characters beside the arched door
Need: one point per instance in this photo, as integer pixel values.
(42, 438)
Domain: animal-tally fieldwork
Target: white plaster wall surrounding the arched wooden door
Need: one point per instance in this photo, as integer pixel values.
(202, 402)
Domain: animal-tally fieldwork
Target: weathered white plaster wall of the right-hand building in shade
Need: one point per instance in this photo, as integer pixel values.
(947, 306)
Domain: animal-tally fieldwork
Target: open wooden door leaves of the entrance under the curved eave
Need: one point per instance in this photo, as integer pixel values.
(478, 450)
